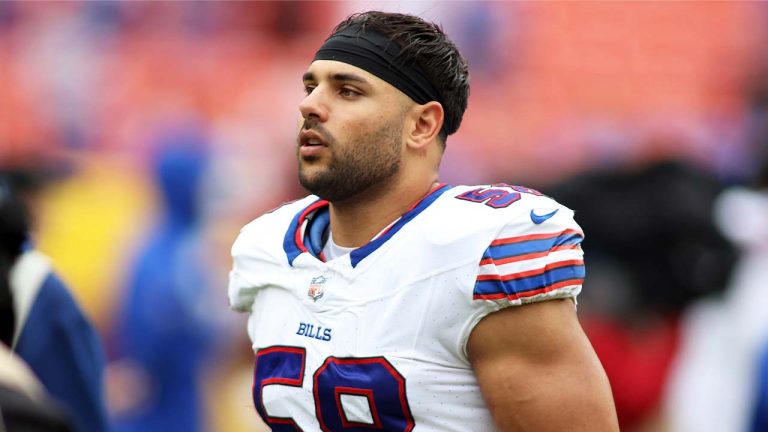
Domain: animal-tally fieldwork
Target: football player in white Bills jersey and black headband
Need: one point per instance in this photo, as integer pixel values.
(389, 300)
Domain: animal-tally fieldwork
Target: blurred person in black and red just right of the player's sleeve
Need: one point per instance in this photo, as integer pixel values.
(654, 250)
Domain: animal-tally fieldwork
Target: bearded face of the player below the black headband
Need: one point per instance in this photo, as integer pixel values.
(351, 139)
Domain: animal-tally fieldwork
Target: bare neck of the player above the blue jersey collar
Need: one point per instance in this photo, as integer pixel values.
(356, 222)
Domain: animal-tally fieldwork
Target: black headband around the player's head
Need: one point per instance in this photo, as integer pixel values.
(375, 53)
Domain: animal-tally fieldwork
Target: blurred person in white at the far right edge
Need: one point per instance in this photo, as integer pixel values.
(720, 381)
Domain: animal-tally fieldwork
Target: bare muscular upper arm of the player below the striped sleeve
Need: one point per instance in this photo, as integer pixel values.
(538, 372)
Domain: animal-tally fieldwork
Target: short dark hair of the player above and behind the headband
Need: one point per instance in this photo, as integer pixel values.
(428, 46)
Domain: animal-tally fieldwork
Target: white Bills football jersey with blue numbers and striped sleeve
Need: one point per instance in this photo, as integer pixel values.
(376, 339)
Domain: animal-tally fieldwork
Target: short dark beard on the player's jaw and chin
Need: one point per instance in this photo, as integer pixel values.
(360, 165)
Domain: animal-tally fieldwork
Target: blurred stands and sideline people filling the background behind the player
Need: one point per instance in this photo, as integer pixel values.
(148, 133)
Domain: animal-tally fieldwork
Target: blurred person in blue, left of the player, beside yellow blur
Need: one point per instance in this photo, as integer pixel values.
(163, 333)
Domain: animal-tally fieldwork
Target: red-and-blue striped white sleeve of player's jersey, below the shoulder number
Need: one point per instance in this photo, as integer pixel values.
(529, 262)
